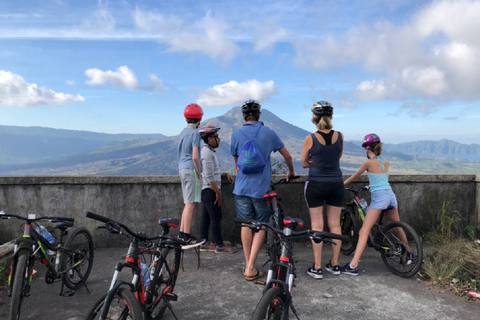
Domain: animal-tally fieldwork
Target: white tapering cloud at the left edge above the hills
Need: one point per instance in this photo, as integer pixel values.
(15, 91)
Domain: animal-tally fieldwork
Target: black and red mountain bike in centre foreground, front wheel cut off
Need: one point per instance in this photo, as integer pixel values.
(276, 300)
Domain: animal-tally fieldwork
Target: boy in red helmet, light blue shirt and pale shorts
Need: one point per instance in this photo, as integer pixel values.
(188, 152)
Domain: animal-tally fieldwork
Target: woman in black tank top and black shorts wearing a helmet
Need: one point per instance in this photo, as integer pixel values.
(321, 153)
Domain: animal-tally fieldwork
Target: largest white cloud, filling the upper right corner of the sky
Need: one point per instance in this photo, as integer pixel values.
(432, 56)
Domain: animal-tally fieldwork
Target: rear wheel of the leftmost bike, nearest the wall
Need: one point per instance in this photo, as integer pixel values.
(77, 258)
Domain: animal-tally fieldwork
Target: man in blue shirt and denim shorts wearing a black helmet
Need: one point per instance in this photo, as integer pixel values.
(250, 188)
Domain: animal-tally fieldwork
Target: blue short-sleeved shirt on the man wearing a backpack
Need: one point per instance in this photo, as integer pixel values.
(257, 184)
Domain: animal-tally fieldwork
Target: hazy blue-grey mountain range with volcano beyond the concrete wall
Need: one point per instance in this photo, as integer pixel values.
(45, 151)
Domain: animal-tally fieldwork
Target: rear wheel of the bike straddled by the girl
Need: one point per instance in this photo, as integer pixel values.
(403, 259)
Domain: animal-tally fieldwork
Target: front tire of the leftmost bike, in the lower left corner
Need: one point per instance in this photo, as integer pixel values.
(19, 282)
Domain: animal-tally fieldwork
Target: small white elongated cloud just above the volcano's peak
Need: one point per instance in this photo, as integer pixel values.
(233, 92)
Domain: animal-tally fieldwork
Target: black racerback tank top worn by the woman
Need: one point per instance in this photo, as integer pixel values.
(325, 165)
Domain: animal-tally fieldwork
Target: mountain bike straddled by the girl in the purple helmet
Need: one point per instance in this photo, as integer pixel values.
(402, 258)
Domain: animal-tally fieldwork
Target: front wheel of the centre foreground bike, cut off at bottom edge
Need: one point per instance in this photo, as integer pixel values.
(272, 305)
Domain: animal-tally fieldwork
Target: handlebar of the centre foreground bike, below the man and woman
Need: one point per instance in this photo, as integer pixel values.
(316, 236)
